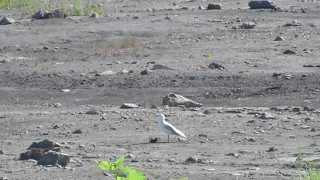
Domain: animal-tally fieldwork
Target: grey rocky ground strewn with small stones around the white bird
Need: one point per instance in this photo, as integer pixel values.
(259, 112)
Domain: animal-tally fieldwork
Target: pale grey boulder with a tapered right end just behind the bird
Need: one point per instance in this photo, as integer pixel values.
(174, 100)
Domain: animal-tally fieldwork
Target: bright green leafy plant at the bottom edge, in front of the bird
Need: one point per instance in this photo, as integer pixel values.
(121, 172)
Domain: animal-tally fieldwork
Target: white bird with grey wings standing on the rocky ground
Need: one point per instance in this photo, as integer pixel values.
(168, 128)
